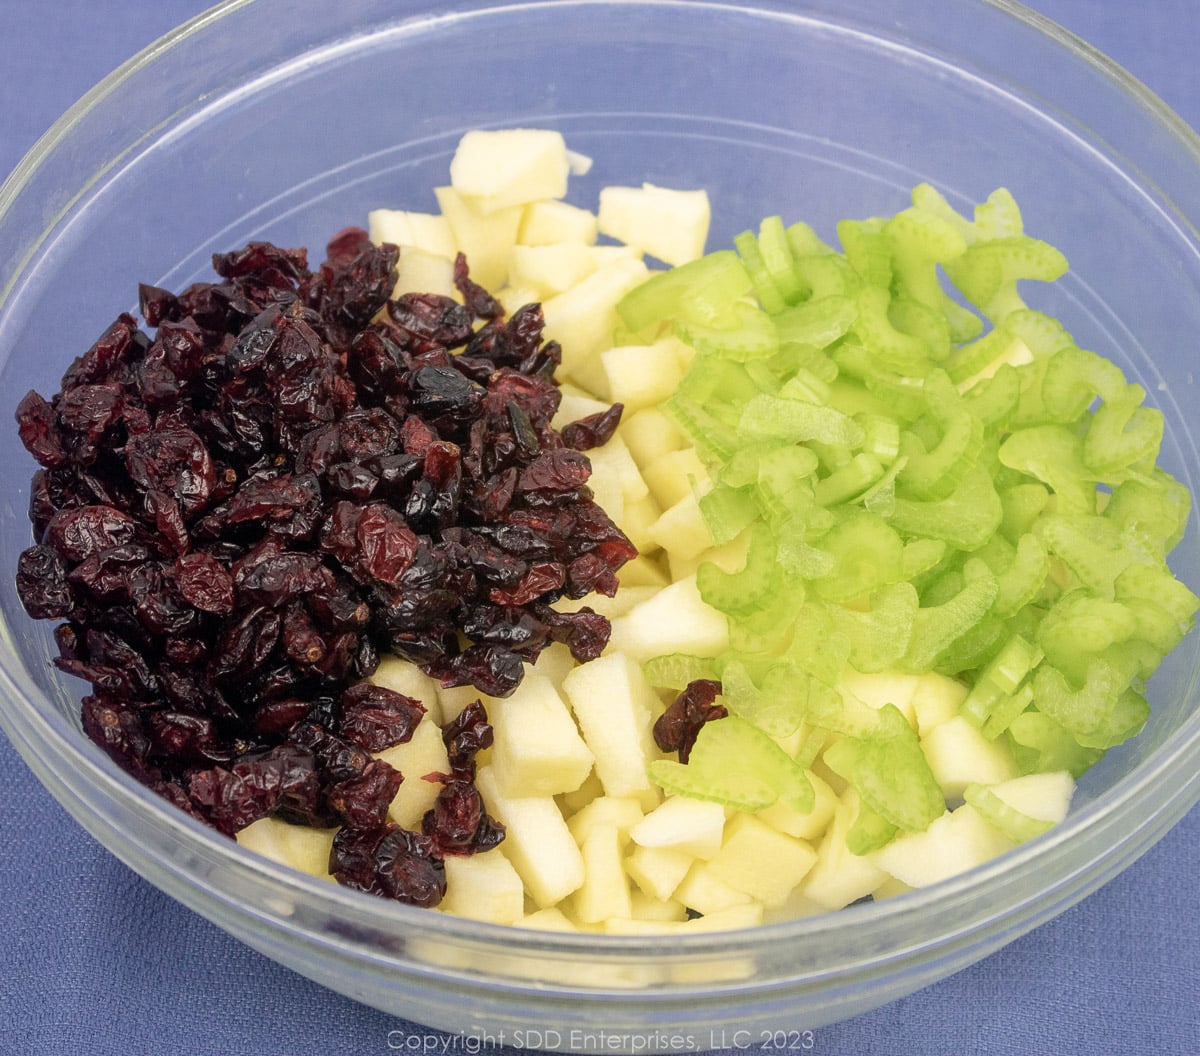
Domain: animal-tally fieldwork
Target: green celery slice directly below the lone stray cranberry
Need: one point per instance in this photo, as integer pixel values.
(735, 764)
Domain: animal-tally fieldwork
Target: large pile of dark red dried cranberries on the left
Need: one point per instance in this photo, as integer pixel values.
(236, 518)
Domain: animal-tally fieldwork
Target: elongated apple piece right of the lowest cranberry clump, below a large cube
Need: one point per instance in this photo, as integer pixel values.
(537, 842)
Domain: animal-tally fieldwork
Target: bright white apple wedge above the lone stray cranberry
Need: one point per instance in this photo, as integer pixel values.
(674, 621)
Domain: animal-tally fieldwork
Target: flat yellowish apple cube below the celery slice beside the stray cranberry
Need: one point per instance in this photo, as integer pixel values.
(761, 861)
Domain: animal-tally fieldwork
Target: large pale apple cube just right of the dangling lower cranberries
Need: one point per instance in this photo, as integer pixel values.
(537, 748)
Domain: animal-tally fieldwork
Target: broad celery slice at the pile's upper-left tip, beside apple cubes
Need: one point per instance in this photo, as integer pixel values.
(701, 292)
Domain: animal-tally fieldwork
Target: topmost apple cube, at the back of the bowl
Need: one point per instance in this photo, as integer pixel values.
(503, 169)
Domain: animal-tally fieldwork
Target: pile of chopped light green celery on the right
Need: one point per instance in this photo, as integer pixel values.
(920, 482)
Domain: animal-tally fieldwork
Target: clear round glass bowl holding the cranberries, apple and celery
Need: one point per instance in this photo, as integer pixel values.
(253, 123)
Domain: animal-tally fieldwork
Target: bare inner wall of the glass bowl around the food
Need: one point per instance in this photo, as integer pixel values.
(815, 112)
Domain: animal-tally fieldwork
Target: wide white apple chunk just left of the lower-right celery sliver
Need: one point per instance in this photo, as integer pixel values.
(957, 842)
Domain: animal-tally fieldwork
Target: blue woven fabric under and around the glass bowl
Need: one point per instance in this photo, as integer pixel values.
(97, 962)
